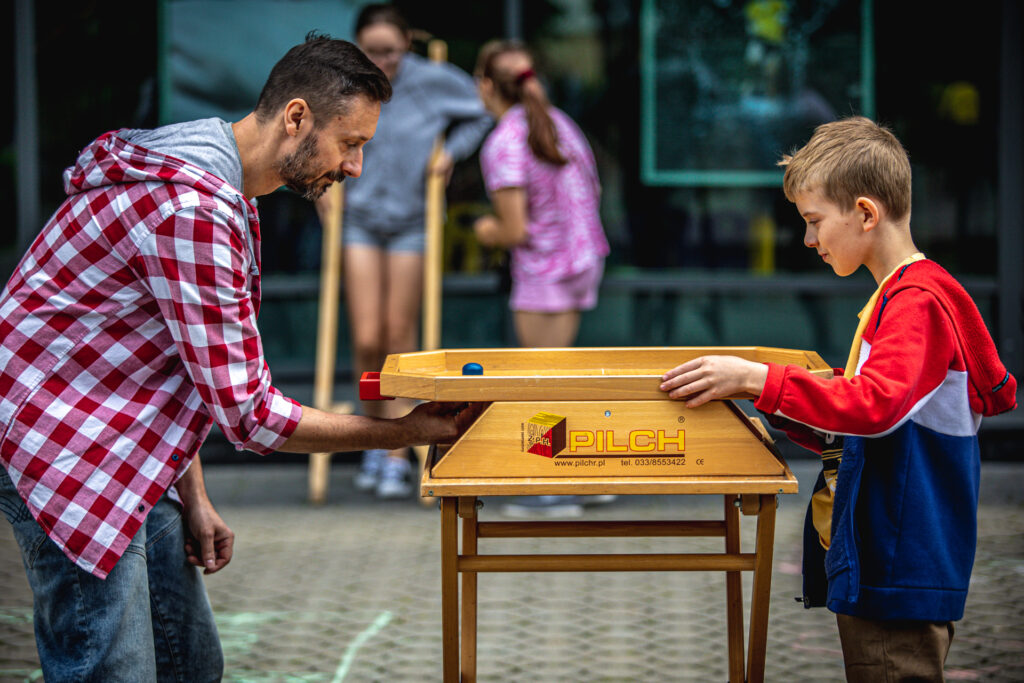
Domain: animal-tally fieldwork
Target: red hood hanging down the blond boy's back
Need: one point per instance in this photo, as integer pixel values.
(993, 389)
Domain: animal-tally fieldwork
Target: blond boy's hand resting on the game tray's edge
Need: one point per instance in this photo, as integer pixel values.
(713, 377)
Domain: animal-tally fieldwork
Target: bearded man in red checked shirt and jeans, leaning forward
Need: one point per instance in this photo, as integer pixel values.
(127, 330)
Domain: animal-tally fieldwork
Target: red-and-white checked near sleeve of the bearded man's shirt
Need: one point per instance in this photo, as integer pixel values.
(197, 264)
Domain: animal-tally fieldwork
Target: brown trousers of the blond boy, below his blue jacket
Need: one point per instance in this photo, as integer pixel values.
(901, 651)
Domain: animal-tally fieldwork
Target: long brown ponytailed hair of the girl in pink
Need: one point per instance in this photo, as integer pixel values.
(523, 88)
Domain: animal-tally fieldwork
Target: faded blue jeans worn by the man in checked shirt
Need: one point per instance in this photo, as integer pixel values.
(149, 621)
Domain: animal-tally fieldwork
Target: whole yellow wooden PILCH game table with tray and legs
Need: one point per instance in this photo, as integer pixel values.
(590, 421)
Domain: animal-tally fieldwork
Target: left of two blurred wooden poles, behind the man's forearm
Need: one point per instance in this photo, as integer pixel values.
(327, 330)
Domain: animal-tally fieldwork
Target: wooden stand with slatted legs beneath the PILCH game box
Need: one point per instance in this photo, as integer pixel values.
(748, 495)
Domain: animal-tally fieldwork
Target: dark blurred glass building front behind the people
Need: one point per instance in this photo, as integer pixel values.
(688, 105)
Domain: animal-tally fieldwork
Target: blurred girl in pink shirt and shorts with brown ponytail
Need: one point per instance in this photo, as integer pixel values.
(541, 176)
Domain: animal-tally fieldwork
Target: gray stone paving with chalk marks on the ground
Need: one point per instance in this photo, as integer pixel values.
(351, 591)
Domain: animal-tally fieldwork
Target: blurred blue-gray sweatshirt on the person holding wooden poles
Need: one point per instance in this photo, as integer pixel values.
(429, 100)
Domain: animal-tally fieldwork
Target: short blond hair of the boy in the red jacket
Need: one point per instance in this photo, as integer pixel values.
(851, 158)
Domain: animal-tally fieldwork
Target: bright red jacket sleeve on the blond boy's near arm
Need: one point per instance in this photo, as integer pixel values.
(911, 354)
